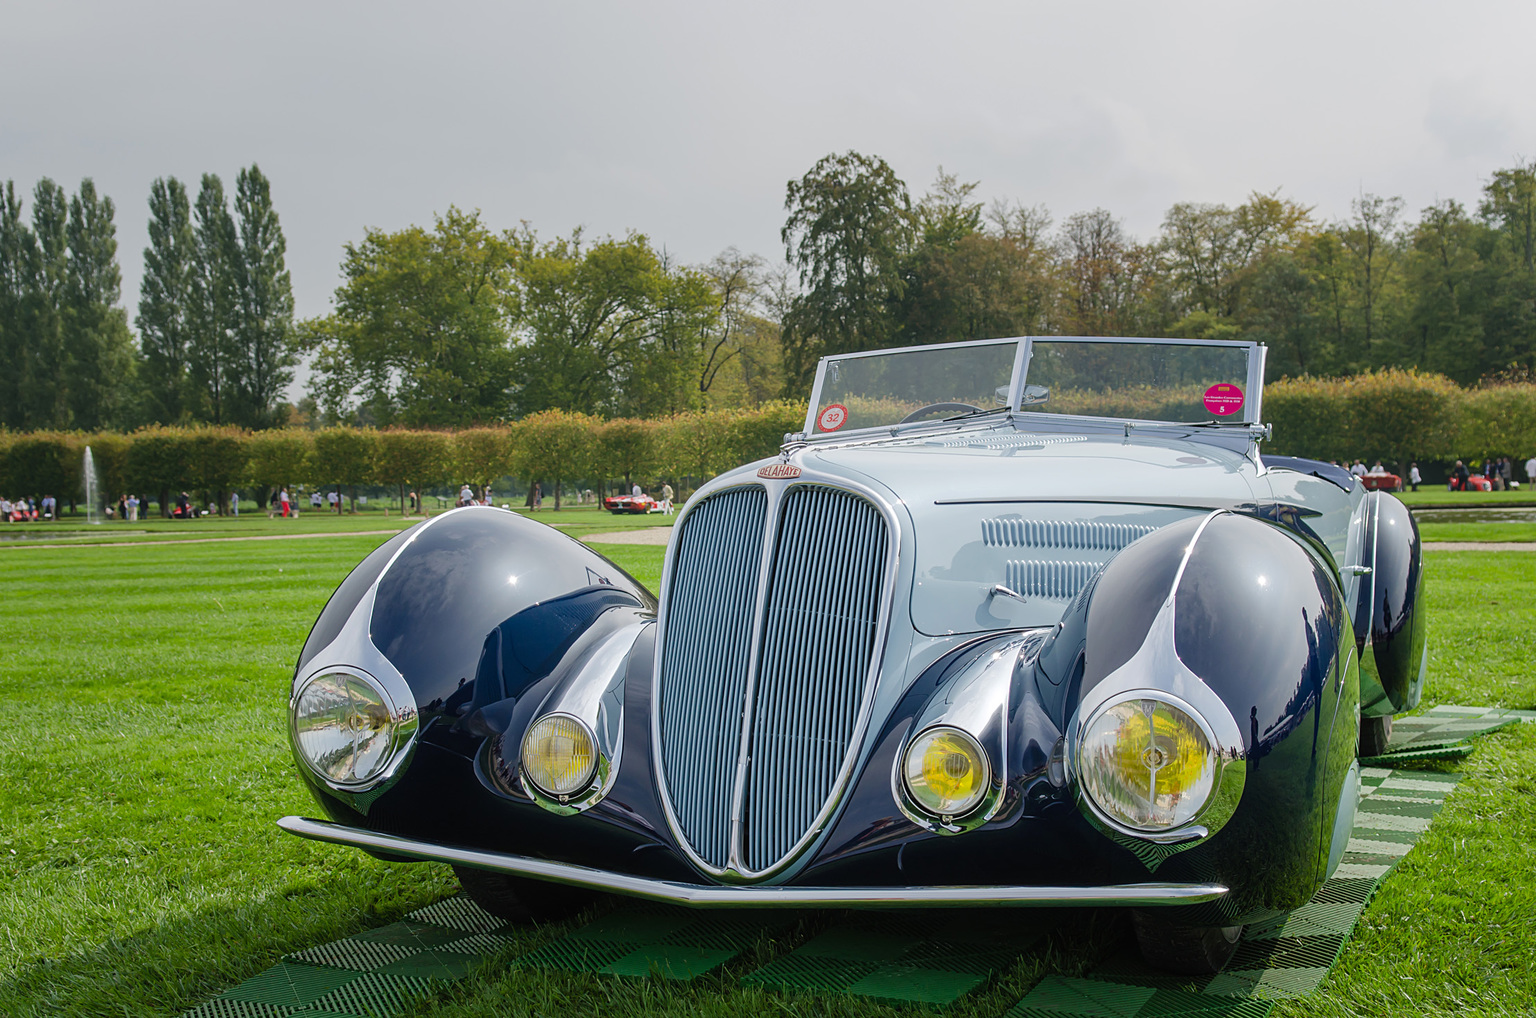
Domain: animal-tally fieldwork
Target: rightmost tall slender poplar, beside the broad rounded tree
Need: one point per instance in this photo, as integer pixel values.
(263, 305)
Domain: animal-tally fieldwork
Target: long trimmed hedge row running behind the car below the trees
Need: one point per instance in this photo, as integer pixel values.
(1397, 417)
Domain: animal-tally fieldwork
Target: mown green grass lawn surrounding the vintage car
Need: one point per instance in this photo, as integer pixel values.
(145, 761)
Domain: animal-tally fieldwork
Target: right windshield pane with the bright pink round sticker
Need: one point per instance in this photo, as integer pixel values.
(1142, 382)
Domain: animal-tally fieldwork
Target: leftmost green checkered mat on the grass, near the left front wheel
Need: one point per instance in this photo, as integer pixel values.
(369, 974)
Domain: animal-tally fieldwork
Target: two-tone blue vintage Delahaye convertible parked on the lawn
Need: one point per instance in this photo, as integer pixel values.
(1019, 623)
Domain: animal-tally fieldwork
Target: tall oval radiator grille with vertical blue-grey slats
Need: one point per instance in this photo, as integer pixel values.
(816, 643)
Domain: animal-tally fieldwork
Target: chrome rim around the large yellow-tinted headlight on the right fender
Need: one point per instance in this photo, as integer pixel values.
(1226, 784)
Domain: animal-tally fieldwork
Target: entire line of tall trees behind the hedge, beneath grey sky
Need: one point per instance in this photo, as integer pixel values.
(463, 325)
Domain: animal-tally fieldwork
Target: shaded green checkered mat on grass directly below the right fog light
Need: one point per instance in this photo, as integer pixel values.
(925, 957)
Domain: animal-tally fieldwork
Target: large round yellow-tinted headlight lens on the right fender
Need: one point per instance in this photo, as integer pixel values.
(1148, 764)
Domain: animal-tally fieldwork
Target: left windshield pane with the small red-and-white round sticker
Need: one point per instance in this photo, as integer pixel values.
(919, 385)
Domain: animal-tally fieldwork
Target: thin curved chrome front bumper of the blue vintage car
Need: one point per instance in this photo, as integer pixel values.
(758, 896)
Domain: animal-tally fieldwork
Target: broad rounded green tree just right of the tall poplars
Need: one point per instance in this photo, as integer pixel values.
(422, 331)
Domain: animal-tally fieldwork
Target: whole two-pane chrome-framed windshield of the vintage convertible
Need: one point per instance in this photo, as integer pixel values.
(1134, 380)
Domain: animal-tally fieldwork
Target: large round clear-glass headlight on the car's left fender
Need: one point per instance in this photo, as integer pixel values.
(348, 730)
